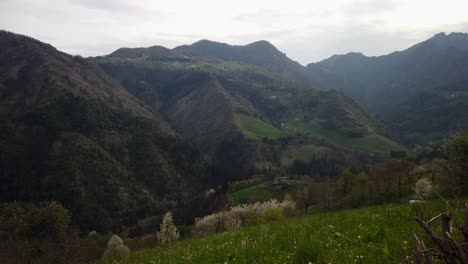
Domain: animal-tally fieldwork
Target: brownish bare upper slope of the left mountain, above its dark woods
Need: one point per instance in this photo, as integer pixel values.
(33, 73)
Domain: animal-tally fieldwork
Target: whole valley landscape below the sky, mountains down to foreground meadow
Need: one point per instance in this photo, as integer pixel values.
(238, 150)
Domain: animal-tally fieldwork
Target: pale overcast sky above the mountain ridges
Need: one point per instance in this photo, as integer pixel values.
(306, 30)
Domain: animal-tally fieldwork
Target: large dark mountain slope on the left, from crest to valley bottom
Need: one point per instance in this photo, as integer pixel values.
(71, 133)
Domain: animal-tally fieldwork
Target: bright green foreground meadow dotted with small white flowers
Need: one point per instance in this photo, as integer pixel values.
(378, 234)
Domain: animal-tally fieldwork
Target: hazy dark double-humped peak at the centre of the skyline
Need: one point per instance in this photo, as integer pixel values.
(261, 53)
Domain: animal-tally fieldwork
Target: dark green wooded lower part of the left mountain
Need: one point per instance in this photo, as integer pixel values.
(84, 156)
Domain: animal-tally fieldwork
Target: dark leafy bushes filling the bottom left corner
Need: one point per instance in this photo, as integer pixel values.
(32, 233)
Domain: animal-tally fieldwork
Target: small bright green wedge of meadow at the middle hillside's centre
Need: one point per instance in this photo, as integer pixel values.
(257, 129)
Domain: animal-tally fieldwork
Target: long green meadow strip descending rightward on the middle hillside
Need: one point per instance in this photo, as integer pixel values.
(369, 143)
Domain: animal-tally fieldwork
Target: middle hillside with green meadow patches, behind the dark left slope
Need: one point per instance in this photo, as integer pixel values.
(211, 101)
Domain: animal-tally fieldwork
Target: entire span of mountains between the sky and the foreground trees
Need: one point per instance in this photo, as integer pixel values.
(139, 131)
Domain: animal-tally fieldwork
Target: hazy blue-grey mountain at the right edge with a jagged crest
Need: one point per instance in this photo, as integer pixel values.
(420, 93)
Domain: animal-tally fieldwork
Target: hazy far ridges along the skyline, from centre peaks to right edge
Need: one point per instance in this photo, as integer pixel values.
(403, 90)
